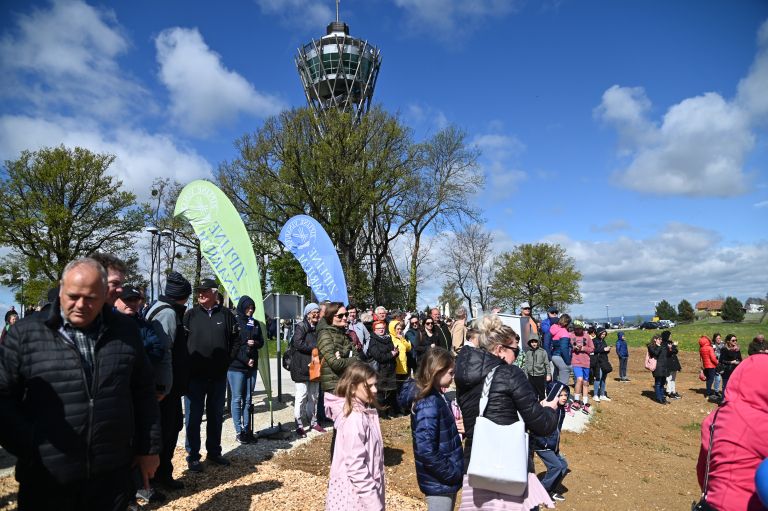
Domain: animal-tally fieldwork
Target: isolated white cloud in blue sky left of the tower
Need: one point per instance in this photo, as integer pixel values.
(204, 93)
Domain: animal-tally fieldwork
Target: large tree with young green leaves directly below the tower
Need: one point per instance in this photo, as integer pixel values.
(352, 178)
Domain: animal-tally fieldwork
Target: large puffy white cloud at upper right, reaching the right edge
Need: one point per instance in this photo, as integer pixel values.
(701, 143)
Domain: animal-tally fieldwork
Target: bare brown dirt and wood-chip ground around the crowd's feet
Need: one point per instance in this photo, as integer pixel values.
(635, 455)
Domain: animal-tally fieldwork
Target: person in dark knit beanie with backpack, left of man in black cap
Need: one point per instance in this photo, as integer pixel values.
(166, 315)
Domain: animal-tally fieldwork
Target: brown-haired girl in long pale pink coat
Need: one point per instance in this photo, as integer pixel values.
(357, 470)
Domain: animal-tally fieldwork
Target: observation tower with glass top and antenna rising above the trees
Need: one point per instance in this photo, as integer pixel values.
(339, 71)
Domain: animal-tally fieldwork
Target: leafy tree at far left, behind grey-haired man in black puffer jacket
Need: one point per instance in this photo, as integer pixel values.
(60, 204)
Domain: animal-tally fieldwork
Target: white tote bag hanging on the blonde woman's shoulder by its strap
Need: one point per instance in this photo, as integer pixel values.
(499, 459)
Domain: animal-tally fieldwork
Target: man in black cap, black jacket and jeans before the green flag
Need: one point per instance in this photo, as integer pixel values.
(212, 336)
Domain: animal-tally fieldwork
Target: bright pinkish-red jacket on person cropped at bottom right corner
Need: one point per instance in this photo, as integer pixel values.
(739, 445)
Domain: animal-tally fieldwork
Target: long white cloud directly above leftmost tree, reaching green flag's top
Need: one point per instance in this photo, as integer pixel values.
(140, 156)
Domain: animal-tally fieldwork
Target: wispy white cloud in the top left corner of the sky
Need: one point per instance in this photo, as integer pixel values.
(71, 51)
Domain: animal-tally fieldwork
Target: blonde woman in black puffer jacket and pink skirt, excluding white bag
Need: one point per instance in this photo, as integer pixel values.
(510, 393)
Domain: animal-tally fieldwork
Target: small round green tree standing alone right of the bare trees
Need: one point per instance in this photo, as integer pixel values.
(541, 274)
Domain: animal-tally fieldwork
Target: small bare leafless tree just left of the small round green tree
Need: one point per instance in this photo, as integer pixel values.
(470, 256)
